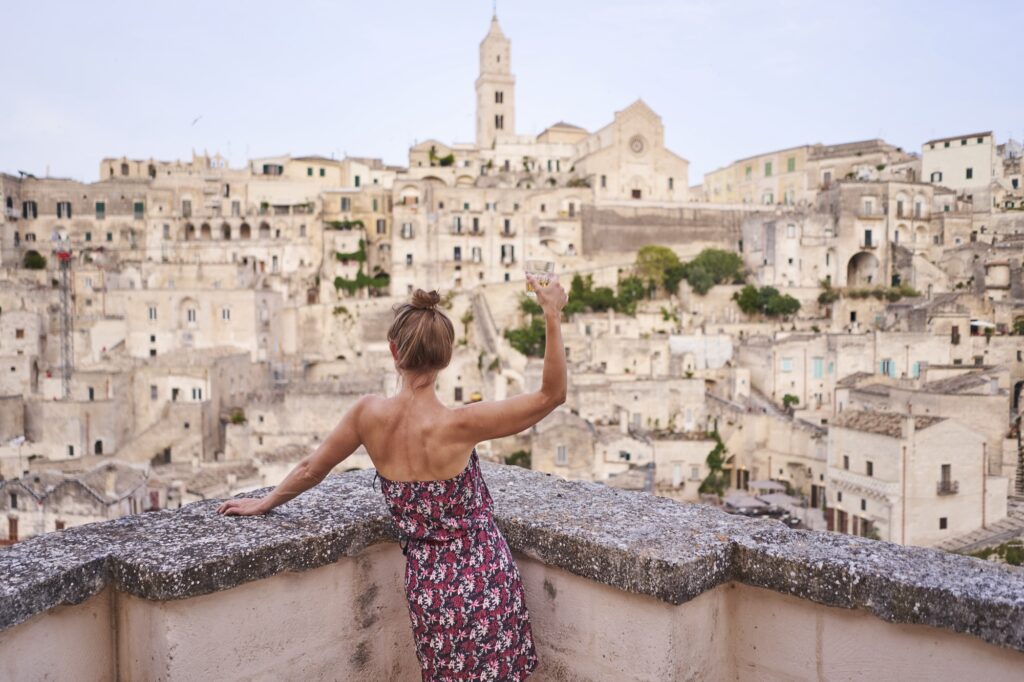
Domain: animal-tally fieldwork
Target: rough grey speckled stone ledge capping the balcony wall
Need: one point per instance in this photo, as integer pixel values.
(631, 541)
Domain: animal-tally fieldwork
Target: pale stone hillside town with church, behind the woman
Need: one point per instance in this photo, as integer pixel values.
(831, 335)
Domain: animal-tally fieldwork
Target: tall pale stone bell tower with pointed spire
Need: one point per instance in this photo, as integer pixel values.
(495, 89)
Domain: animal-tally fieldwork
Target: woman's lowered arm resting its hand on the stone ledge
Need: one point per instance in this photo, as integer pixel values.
(310, 472)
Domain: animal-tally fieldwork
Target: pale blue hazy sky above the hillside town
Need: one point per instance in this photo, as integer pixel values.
(87, 80)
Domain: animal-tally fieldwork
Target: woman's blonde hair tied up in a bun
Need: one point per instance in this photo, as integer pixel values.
(422, 334)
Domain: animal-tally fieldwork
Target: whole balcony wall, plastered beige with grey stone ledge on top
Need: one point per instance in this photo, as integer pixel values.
(621, 586)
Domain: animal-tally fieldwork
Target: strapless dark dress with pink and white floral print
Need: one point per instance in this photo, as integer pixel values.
(465, 594)
